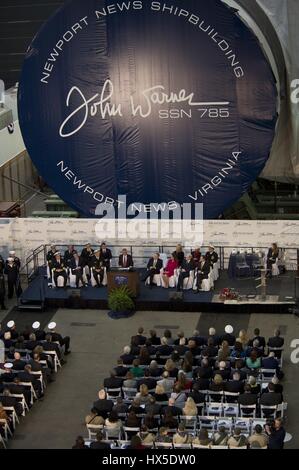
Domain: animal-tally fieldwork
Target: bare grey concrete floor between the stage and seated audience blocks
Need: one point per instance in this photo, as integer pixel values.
(96, 343)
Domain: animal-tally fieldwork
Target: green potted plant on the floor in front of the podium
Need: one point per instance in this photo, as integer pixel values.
(120, 303)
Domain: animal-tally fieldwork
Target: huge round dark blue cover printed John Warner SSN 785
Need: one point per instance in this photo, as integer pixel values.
(164, 102)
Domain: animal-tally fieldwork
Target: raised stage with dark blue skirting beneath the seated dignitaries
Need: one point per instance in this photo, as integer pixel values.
(280, 296)
